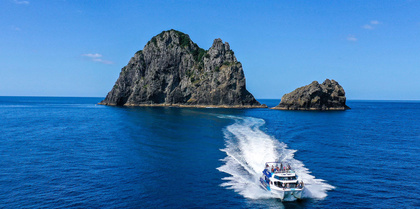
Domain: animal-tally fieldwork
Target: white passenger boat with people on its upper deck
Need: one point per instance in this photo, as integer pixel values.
(282, 181)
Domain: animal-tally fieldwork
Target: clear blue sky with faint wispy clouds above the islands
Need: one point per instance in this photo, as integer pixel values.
(77, 48)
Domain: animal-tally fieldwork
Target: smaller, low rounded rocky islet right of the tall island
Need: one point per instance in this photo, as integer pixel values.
(326, 96)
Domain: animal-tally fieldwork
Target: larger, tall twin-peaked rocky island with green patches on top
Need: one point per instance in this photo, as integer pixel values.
(172, 70)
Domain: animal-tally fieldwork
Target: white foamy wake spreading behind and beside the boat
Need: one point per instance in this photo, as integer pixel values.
(248, 148)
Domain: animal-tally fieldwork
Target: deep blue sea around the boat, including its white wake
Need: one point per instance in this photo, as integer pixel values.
(72, 153)
